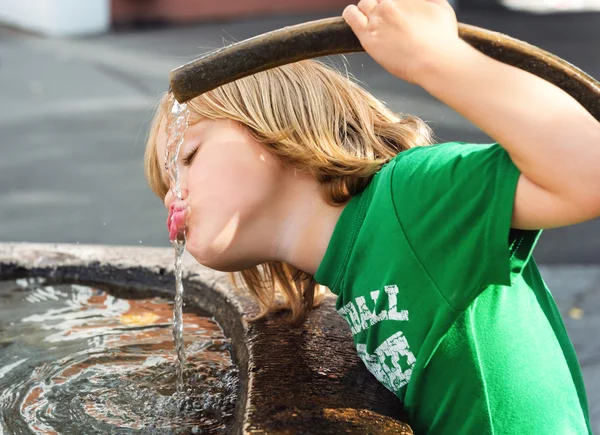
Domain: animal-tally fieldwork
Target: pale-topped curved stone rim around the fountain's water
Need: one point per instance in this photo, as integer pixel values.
(147, 269)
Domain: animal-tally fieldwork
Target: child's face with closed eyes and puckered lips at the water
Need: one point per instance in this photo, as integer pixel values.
(230, 183)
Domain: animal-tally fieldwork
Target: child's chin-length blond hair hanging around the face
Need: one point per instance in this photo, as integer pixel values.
(316, 120)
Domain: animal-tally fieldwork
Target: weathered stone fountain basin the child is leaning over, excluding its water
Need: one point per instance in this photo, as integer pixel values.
(292, 381)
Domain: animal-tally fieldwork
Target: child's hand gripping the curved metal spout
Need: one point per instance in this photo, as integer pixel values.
(405, 36)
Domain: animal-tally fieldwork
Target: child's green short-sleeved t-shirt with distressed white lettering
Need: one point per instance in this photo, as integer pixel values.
(446, 307)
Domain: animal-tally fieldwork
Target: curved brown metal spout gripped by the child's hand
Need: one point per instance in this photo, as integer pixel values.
(333, 36)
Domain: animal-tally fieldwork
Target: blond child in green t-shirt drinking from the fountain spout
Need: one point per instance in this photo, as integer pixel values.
(297, 176)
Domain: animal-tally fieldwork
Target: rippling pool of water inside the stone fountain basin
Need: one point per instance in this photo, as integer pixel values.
(83, 360)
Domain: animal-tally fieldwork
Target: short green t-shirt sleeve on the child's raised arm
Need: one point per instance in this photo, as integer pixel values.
(454, 203)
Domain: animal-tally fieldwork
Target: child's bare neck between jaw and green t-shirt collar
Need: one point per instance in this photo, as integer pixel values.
(305, 224)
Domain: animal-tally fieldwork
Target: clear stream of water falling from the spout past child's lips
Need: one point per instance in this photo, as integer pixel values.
(177, 124)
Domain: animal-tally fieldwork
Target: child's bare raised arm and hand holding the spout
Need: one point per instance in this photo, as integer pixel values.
(551, 138)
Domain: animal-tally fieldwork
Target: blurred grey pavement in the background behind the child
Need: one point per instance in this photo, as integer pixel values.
(75, 113)
